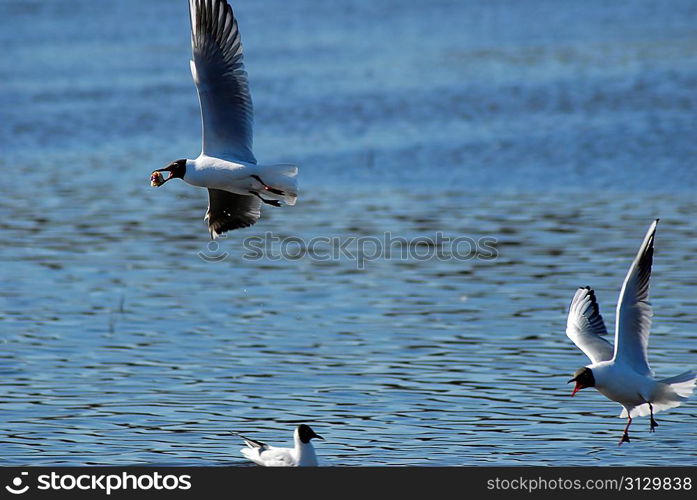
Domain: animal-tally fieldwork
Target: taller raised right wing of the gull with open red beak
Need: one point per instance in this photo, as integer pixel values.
(634, 311)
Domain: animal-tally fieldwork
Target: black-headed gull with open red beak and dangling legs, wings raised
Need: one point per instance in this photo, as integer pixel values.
(622, 373)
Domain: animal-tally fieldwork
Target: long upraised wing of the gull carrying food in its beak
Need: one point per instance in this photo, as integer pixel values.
(221, 80)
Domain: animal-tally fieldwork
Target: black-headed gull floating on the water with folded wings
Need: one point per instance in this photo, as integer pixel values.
(302, 455)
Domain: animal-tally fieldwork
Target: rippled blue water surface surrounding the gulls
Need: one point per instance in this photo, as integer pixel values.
(558, 129)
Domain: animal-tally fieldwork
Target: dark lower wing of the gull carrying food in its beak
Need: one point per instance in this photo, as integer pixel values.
(228, 211)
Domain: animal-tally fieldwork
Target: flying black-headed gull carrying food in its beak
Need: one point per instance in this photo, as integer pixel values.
(237, 185)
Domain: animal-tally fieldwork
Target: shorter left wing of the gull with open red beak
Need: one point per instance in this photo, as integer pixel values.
(585, 326)
